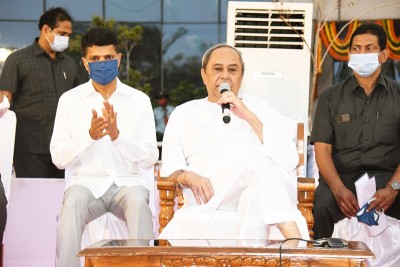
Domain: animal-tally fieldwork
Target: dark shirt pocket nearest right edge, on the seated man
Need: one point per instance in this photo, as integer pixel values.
(387, 130)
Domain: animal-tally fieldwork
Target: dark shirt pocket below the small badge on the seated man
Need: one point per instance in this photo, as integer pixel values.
(346, 134)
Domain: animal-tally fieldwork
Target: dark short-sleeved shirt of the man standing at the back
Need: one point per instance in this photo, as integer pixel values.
(37, 82)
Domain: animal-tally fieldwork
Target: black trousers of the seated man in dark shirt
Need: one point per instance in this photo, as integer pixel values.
(326, 211)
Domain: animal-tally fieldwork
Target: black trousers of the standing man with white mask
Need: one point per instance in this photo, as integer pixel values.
(36, 166)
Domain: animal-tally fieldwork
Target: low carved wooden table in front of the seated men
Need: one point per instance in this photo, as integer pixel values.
(224, 253)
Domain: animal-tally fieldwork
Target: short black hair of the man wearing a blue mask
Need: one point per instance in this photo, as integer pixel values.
(98, 37)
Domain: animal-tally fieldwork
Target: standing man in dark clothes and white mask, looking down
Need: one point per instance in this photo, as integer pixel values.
(33, 79)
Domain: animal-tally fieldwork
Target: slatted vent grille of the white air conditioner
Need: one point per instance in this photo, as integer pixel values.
(269, 28)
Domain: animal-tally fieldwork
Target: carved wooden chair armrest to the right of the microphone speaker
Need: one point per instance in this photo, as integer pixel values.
(305, 196)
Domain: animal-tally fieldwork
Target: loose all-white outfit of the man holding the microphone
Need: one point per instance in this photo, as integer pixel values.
(249, 177)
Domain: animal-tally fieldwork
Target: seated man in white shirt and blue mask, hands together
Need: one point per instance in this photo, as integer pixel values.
(104, 137)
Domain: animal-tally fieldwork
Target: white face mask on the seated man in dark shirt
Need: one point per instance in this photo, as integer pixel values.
(364, 64)
